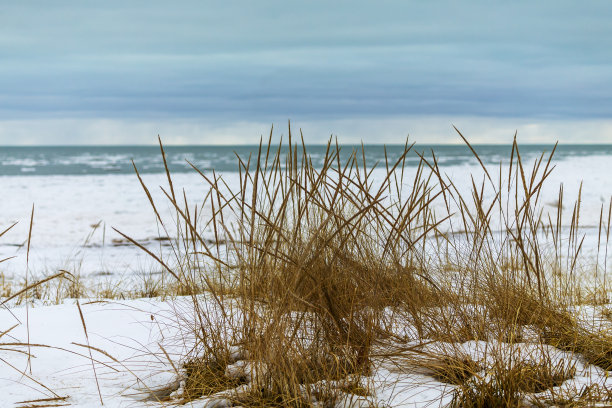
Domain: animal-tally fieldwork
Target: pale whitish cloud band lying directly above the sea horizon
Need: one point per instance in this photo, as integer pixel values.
(389, 130)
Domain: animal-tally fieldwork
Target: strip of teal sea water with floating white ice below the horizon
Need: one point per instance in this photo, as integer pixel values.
(98, 160)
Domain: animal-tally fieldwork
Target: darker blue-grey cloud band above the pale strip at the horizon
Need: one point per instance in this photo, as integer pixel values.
(309, 82)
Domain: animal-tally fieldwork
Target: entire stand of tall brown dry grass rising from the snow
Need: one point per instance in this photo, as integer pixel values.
(311, 269)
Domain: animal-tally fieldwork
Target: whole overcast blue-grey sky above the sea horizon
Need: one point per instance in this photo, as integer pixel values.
(212, 72)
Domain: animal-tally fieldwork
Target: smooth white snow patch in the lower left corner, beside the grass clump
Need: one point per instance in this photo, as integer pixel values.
(131, 332)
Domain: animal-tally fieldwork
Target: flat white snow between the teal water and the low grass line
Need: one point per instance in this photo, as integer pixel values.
(67, 208)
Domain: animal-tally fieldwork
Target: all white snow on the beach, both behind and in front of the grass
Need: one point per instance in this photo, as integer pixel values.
(137, 345)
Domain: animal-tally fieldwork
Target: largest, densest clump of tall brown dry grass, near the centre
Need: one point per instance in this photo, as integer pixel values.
(314, 259)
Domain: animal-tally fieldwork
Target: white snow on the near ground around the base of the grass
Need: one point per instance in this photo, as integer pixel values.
(126, 340)
